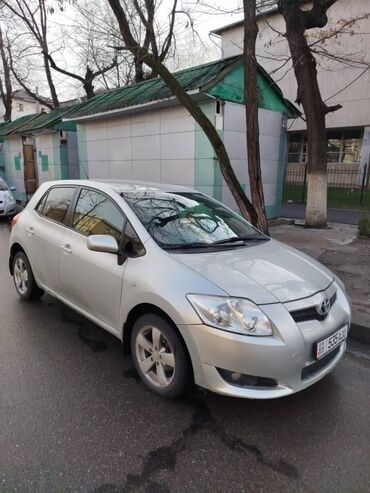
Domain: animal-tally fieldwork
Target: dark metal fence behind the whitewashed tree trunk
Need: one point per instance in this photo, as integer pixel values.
(348, 187)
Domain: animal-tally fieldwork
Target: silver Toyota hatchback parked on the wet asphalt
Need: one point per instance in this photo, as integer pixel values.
(190, 288)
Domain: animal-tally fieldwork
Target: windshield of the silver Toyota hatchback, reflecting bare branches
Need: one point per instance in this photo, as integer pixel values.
(185, 220)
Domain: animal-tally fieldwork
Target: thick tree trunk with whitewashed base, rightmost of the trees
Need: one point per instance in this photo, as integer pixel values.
(314, 108)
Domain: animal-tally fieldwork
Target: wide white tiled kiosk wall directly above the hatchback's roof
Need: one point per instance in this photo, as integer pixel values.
(154, 146)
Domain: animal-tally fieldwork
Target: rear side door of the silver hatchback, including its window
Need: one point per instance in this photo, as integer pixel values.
(44, 232)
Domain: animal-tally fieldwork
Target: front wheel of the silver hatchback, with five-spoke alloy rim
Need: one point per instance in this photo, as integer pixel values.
(159, 356)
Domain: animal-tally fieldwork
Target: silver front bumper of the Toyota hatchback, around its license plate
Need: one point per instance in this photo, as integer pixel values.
(281, 357)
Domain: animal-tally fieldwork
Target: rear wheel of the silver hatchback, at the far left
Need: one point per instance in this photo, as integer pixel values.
(24, 280)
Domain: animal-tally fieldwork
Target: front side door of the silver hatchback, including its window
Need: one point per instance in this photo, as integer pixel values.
(92, 281)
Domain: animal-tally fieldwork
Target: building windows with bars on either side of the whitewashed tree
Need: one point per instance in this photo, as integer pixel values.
(343, 146)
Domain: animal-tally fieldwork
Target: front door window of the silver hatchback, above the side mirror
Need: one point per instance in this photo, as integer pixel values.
(96, 214)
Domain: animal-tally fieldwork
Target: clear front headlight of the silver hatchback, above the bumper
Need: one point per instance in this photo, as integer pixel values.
(233, 314)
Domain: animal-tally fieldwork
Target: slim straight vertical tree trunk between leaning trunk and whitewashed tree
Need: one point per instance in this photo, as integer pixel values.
(251, 109)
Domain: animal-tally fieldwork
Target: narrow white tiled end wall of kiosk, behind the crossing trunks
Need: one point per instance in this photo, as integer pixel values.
(235, 141)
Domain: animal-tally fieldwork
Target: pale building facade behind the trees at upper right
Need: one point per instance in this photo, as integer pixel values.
(342, 50)
